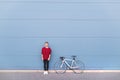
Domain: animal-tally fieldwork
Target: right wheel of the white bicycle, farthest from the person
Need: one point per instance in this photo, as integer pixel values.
(78, 67)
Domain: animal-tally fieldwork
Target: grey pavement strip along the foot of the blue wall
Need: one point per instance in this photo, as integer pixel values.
(54, 76)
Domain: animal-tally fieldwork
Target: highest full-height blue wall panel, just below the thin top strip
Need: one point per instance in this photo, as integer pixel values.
(59, 11)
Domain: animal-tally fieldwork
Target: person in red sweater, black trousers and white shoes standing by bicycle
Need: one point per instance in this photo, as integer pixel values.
(46, 54)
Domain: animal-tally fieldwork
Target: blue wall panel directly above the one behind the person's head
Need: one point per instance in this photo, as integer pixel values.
(59, 28)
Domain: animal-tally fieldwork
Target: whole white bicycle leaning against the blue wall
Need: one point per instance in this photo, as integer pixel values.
(71, 64)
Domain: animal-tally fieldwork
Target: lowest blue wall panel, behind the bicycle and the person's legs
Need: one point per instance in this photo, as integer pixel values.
(34, 62)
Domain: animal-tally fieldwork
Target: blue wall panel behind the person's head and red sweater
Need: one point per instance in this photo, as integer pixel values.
(82, 46)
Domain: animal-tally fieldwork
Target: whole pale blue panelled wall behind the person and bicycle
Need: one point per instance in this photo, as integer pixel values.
(89, 29)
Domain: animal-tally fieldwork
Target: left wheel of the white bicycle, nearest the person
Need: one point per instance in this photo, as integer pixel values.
(60, 67)
